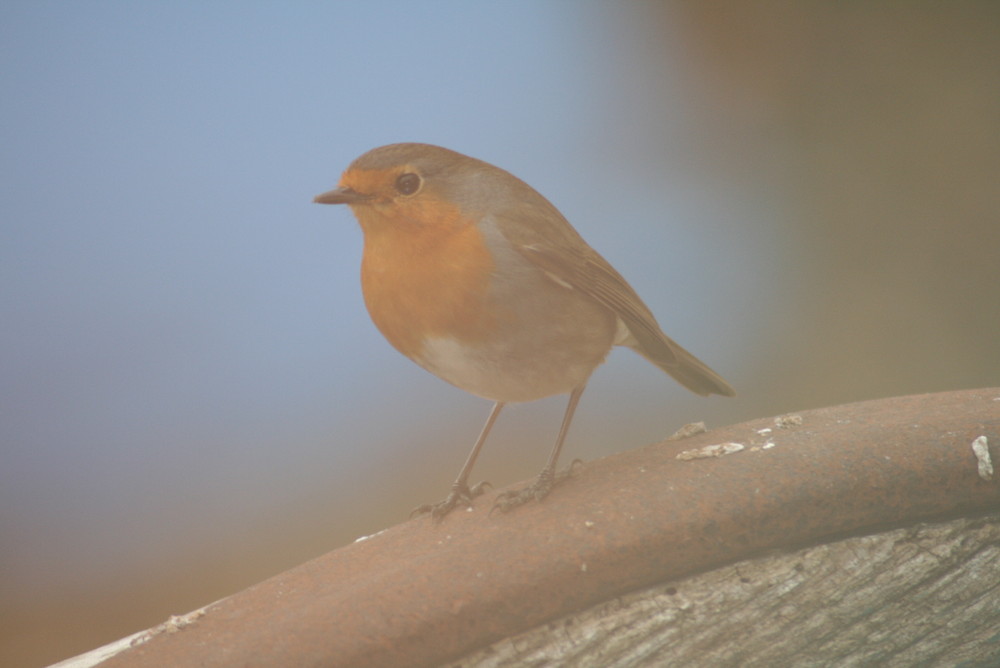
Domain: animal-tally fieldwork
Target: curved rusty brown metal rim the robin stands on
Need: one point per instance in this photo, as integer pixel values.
(423, 592)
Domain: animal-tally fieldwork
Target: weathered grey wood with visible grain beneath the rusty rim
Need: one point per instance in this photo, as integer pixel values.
(923, 595)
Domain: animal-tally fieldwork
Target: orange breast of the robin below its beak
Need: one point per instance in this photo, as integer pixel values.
(425, 273)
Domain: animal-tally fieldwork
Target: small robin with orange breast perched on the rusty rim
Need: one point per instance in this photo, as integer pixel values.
(476, 277)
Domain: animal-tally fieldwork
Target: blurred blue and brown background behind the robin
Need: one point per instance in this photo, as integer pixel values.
(192, 396)
